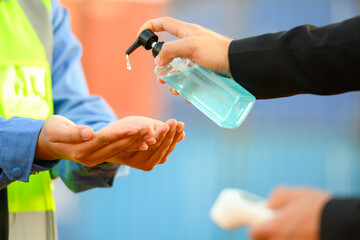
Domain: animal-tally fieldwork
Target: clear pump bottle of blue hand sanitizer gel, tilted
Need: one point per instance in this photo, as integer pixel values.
(220, 98)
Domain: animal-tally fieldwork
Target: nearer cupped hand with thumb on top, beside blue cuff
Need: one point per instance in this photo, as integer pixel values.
(60, 138)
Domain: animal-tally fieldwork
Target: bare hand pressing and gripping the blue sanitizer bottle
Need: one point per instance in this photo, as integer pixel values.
(203, 46)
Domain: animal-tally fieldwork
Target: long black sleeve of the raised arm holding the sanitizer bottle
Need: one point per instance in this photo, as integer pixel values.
(307, 59)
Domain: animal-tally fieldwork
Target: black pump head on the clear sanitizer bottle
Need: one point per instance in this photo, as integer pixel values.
(148, 40)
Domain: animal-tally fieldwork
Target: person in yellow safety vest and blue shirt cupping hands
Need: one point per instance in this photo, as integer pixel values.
(41, 75)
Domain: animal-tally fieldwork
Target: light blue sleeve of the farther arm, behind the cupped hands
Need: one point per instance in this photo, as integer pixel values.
(72, 100)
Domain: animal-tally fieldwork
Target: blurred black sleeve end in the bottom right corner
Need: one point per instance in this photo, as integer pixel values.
(340, 220)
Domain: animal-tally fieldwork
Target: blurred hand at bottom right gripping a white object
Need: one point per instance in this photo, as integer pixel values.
(298, 215)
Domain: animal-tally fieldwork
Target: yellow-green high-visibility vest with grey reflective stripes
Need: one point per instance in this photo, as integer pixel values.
(25, 91)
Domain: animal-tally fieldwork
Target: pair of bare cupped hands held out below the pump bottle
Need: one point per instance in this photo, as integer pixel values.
(119, 142)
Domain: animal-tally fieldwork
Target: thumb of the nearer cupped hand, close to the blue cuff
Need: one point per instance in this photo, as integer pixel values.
(63, 130)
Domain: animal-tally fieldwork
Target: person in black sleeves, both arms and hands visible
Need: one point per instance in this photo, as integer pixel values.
(306, 59)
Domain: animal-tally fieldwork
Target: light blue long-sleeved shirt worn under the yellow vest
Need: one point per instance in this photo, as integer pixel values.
(18, 136)
